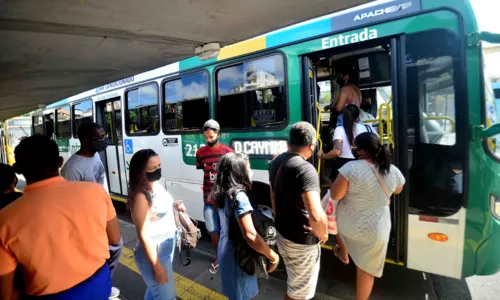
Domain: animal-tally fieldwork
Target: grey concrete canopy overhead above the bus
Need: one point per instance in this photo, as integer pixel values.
(52, 49)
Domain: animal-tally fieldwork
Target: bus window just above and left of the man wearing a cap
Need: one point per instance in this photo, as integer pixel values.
(186, 105)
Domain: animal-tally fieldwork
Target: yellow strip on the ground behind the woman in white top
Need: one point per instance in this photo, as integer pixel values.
(186, 289)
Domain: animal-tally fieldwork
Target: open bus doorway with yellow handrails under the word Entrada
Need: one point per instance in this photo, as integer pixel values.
(386, 60)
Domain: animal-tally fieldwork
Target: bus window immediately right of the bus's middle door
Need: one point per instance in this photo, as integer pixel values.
(141, 117)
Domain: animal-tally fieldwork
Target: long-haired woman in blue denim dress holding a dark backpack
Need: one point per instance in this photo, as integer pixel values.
(232, 183)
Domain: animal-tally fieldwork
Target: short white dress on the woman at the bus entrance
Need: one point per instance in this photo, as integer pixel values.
(363, 216)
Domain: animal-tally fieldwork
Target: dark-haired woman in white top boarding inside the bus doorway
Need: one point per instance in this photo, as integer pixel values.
(343, 138)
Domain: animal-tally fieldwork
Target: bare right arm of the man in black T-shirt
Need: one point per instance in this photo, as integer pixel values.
(318, 223)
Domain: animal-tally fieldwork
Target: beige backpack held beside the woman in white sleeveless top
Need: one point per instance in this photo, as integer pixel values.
(189, 234)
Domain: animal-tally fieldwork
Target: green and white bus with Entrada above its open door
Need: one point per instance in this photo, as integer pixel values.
(421, 63)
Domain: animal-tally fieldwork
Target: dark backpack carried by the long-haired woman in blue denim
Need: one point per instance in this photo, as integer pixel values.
(249, 260)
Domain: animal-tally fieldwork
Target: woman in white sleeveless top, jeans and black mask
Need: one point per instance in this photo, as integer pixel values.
(152, 211)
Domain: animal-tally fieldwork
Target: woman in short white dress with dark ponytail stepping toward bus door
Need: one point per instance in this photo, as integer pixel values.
(363, 216)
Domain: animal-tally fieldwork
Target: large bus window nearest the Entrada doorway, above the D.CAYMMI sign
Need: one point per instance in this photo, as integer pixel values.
(252, 94)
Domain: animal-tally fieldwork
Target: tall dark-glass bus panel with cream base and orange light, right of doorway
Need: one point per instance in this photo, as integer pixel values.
(433, 139)
